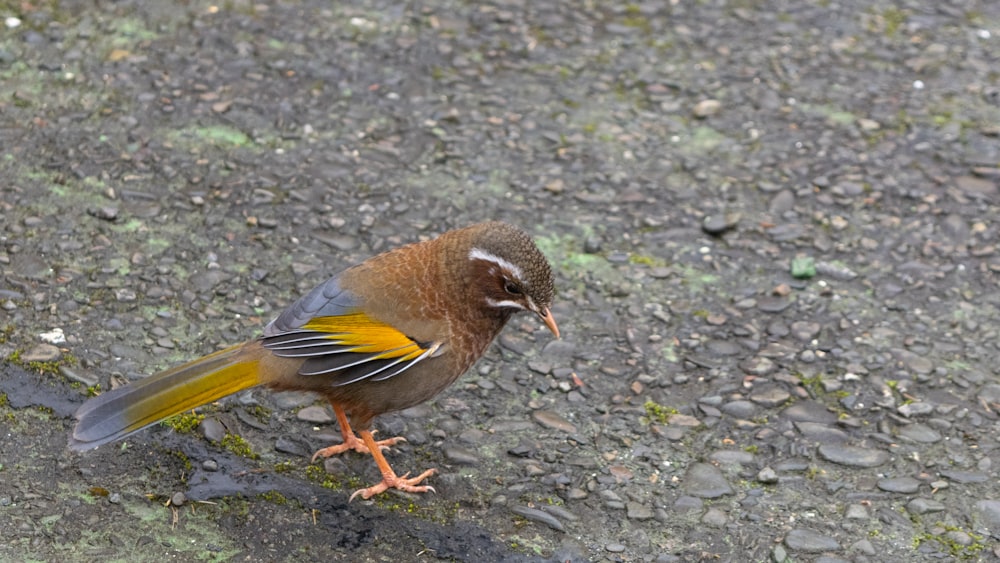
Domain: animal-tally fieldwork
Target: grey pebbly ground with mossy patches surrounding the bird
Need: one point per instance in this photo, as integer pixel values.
(774, 227)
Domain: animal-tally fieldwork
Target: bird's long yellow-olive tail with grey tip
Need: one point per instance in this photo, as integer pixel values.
(126, 410)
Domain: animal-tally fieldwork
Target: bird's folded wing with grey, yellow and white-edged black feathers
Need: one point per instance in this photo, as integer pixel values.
(339, 341)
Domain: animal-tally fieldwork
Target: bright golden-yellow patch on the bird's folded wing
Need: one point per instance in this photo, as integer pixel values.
(364, 335)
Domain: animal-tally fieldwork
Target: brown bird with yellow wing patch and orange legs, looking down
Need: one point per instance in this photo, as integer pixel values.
(381, 336)
